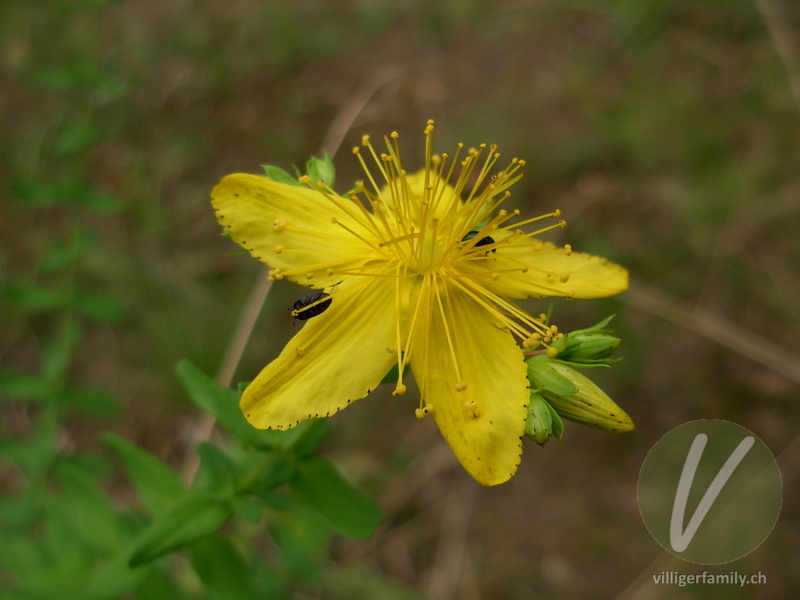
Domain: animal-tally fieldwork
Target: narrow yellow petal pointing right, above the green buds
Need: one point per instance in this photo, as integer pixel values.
(533, 269)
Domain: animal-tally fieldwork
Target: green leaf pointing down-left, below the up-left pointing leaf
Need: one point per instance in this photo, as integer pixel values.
(193, 517)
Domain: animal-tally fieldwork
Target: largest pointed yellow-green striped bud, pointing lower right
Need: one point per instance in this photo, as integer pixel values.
(588, 404)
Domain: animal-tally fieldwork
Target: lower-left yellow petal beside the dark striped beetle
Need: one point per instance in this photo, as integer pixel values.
(335, 359)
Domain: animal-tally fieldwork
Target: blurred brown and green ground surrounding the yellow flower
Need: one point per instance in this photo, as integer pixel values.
(666, 132)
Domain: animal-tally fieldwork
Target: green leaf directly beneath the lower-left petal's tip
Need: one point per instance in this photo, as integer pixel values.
(223, 404)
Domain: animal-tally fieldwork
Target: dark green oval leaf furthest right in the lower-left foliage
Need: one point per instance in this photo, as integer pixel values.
(318, 486)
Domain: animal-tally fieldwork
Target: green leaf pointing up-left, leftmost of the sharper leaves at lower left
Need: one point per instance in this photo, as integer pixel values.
(156, 484)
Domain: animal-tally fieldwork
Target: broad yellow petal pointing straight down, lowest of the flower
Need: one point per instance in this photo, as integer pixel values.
(483, 422)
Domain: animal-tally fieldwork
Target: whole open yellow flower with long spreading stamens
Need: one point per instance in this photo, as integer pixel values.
(419, 268)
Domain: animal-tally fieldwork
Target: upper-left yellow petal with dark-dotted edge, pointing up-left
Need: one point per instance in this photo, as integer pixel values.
(290, 228)
